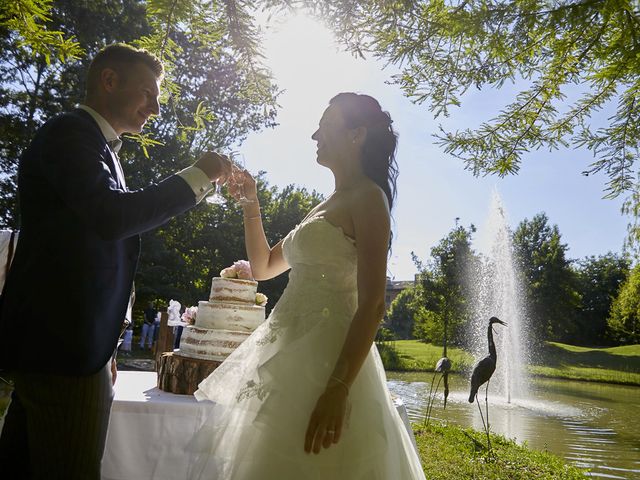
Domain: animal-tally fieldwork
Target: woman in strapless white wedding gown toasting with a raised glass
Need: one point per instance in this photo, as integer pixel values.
(305, 396)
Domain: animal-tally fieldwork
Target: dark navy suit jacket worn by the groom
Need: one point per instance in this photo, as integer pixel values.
(67, 291)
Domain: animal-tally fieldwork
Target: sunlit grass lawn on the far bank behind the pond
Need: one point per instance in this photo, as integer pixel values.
(613, 365)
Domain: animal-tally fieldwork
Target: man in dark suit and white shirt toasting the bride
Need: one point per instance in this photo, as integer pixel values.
(67, 292)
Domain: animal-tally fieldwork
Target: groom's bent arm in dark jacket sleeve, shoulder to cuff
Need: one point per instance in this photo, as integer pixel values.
(74, 160)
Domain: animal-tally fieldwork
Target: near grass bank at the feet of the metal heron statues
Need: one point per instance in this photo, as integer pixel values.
(451, 452)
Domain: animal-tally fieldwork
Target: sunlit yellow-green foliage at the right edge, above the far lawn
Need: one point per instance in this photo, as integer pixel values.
(624, 322)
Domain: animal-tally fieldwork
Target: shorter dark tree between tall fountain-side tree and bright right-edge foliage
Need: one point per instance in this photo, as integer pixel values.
(599, 279)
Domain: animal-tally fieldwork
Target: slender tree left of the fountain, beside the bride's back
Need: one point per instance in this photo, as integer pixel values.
(443, 290)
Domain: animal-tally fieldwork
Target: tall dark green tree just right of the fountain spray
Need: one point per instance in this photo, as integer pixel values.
(549, 281)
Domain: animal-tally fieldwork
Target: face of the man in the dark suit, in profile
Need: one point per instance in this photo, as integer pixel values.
(133, 99)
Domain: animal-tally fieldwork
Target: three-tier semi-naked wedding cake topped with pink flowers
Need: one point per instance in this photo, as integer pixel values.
(234, 310)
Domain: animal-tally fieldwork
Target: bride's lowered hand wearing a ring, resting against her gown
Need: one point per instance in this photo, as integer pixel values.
(327, 419)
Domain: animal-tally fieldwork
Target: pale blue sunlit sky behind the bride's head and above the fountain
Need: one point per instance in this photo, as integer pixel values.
(433, 188)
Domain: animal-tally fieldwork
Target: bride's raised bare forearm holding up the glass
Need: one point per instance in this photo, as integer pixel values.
(266, 262)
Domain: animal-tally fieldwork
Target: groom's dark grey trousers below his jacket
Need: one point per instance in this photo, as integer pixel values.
(56, 426)
